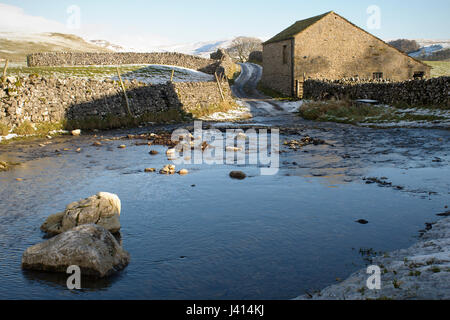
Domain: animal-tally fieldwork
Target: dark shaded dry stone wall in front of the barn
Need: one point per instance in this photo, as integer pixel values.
(429, 92)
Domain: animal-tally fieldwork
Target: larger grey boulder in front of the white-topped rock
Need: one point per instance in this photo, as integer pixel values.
(91, 247)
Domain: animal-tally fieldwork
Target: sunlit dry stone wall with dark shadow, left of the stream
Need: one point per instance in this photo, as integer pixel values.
(38, 99)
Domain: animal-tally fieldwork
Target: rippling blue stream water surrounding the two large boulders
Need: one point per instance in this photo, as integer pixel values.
(206, 236)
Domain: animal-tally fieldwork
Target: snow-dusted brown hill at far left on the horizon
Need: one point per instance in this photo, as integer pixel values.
(16, 46)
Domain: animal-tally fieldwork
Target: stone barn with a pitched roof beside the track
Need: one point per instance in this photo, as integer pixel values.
(330, 47)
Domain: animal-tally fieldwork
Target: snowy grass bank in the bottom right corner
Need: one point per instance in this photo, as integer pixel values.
(421, 272)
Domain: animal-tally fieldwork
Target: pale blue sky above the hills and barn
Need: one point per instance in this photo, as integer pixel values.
(183, 21)
